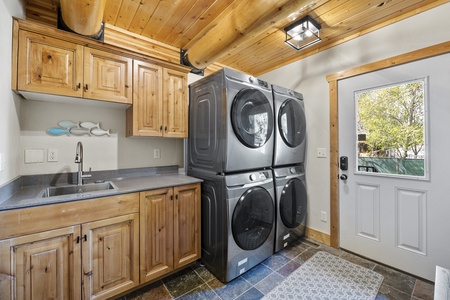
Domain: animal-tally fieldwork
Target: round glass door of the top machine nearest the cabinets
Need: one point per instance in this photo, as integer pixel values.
(252, 118)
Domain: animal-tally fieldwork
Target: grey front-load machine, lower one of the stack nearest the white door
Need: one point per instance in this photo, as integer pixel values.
(290, 193)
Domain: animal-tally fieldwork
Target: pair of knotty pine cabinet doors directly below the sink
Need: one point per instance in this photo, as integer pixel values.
(101, 258)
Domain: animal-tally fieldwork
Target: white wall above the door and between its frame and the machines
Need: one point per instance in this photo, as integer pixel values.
(308, 76)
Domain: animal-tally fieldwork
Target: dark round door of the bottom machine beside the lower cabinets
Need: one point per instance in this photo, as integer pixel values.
(253, 218)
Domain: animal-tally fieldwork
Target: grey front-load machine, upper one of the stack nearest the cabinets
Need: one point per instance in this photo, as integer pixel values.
(231, 123)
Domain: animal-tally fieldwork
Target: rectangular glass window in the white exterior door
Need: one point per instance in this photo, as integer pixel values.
(391, 130)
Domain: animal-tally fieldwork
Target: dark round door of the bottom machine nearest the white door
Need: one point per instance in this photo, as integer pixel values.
(293, 203)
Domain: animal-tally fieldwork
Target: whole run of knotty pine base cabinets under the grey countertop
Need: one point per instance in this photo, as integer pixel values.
(98, 253)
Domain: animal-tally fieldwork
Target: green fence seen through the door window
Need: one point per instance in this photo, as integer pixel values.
(412, 167)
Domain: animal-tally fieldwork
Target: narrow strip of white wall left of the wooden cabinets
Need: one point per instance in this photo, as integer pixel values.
(9, 102)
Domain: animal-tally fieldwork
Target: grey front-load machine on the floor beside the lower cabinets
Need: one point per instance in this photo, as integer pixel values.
(238, 221)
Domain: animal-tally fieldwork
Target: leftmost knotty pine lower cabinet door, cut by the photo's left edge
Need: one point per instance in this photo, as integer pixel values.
(44, 265)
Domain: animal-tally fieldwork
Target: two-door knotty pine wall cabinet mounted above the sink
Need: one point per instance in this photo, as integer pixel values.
(52, 66)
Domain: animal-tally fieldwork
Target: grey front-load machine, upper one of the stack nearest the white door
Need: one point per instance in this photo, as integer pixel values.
(290, 127)
